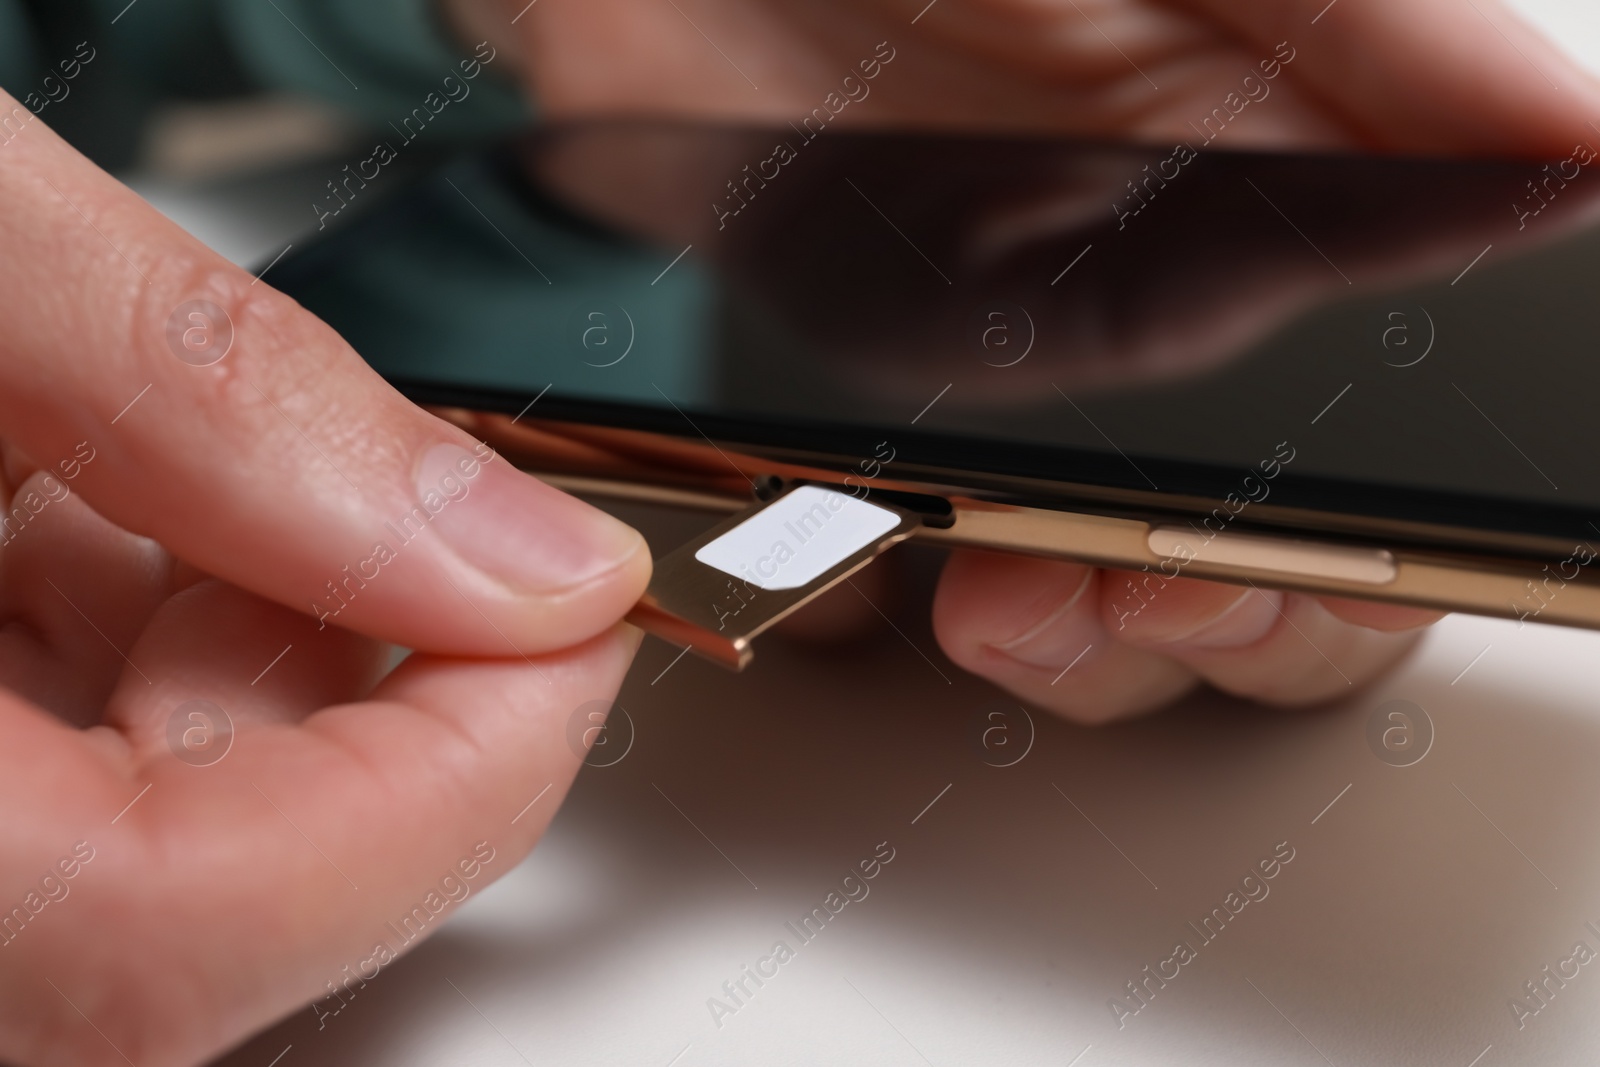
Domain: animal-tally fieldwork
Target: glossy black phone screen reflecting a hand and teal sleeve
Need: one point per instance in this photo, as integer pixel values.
(1002, 305)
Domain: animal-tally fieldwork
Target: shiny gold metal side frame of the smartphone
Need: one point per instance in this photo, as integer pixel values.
(1318, 553)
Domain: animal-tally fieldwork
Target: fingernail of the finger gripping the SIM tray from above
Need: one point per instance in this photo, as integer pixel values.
(514, 527)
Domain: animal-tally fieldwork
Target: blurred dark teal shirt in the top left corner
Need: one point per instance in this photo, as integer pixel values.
(377, 60)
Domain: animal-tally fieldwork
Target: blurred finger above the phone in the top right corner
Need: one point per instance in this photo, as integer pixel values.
(1426, 76)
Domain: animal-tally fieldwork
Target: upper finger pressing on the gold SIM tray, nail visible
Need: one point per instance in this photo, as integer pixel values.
(286, 466)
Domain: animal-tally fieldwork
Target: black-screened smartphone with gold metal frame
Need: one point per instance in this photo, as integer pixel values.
(1338, 375)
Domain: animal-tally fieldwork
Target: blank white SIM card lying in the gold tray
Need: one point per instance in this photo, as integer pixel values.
(798, 538)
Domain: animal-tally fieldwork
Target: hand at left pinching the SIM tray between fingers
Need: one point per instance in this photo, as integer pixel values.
(214, 511)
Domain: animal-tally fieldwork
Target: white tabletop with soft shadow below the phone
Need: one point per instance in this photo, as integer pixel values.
(1414, 909)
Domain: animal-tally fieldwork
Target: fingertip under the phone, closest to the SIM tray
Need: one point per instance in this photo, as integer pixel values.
(1034, 628)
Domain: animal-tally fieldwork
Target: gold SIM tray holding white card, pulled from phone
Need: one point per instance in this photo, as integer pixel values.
(721, 591)
